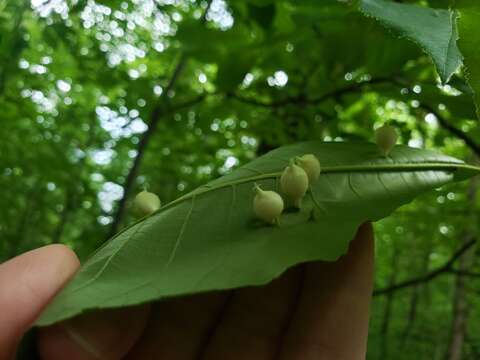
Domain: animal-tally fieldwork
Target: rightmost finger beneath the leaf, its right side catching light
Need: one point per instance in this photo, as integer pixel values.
(331, 320)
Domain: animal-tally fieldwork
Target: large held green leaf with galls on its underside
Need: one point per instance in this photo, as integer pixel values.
(208, 239)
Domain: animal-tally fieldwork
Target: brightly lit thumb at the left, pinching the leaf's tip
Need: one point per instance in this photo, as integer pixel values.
(28, 283)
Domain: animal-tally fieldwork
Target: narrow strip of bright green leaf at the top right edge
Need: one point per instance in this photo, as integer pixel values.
(469, 43)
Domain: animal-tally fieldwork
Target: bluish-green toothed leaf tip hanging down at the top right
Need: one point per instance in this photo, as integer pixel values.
(434, 30)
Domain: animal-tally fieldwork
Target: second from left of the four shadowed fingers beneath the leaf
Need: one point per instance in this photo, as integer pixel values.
(178, 328)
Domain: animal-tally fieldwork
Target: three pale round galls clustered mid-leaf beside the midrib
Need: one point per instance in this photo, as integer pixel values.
(295, 180)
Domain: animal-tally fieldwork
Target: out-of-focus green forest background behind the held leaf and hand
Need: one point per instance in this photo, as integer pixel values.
(187, 90)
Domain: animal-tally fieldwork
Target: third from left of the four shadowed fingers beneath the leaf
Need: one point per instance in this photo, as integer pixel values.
(255, 320)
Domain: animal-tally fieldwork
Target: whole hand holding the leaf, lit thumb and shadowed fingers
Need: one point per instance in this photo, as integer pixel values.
(316, 310)
